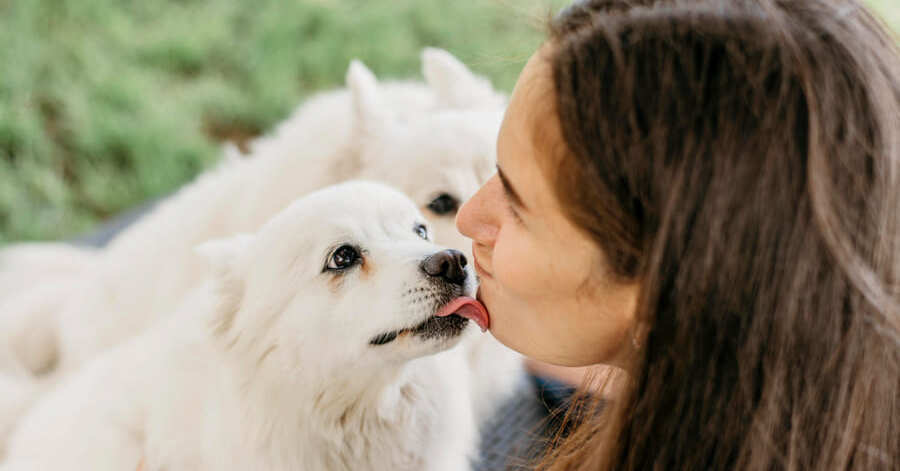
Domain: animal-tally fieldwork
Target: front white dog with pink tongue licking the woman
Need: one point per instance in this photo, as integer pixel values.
(315, 347)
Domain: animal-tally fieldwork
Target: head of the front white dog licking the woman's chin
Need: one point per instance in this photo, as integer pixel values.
(346, 276)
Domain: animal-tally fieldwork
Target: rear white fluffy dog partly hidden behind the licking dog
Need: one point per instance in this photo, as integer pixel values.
(424, 139)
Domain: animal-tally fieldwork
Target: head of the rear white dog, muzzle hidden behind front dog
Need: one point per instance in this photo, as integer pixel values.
(440, 157)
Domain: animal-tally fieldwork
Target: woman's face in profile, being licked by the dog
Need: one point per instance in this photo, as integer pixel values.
(543, 281)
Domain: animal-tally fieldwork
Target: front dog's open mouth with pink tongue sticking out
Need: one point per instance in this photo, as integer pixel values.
(449, 321)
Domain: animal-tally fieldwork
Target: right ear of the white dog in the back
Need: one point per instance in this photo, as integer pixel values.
(455, 85)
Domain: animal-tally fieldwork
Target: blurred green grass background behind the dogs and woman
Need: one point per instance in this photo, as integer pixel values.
(105, 104)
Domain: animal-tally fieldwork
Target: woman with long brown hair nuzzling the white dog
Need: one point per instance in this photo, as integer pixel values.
(706, 194)
